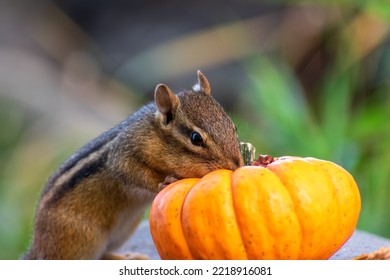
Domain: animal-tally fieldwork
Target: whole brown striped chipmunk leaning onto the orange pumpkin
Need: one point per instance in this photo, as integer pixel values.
(93, 203)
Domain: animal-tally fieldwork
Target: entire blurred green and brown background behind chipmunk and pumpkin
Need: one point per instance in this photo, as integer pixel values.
(305, 78)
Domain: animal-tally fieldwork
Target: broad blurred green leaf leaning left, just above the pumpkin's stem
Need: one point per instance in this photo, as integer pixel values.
(278, 102)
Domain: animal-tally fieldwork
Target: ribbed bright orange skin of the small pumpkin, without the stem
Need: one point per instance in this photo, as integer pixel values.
(291, 208)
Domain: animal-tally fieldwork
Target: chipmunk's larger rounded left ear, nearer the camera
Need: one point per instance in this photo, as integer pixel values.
(166, 101)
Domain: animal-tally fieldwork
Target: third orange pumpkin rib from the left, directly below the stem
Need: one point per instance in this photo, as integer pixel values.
(278, 238)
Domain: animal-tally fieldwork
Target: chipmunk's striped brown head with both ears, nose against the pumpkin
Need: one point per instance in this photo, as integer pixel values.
(199, 136)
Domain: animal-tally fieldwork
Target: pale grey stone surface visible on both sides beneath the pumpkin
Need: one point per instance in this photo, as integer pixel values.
(361, 242)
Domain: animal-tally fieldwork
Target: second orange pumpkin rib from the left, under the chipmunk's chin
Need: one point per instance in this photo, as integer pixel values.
(205, 220)
